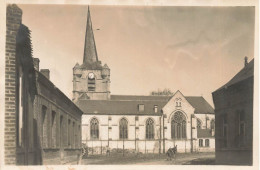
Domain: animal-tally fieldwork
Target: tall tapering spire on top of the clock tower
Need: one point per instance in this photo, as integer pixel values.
(90, 52)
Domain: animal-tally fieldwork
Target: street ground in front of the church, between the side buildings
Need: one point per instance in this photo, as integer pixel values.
(151, 159)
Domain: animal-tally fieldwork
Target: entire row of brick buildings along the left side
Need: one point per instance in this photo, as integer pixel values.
(41, 123)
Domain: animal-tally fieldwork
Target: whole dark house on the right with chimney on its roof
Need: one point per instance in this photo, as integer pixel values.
(234, 118)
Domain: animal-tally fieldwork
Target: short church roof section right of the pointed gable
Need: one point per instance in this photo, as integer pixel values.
(200, 104)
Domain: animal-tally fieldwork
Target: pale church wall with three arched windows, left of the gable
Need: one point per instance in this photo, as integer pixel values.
(141, 133)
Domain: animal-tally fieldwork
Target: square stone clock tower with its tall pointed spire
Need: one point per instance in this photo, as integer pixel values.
(91, 80)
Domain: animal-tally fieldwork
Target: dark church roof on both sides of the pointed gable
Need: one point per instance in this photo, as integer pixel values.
(128, 105)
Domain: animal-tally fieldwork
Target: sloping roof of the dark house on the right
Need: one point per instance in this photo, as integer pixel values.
(246, 72)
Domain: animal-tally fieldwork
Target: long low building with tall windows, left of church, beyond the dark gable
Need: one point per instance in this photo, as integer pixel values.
(59, 124)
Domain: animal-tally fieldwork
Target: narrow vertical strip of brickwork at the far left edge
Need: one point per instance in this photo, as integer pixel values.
(13, 21)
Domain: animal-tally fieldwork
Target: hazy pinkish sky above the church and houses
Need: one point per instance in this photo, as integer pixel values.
(192, 49)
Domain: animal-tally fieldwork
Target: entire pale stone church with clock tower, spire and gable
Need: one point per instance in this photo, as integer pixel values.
(130, 123)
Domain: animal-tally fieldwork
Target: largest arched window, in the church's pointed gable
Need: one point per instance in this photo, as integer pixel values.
(178, 126)
